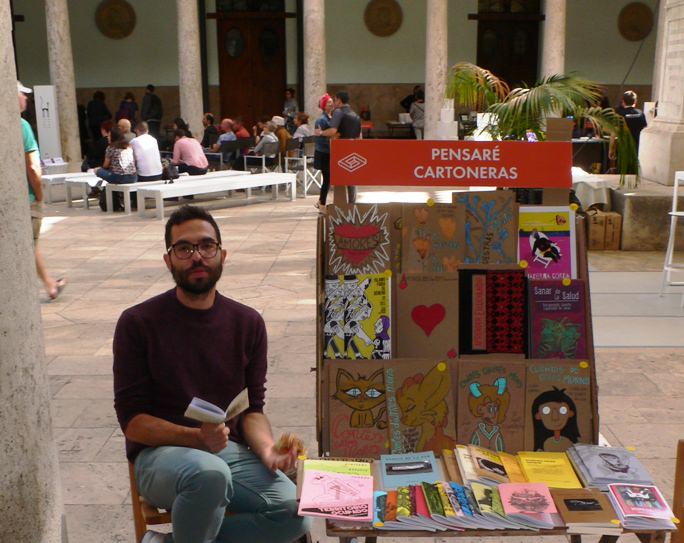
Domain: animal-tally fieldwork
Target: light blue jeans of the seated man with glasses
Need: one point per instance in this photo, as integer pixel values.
(198, 487)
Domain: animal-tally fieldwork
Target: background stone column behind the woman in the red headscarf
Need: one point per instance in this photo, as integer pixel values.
(314, 55)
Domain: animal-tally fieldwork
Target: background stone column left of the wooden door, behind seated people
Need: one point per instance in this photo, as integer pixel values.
(189, 65)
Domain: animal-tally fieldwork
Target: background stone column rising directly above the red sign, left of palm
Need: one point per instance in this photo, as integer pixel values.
(435, 64)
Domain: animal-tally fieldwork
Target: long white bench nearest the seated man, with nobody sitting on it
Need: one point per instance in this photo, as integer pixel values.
(194, 187)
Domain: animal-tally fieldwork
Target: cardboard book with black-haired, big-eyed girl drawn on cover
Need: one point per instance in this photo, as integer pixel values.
(558, 405)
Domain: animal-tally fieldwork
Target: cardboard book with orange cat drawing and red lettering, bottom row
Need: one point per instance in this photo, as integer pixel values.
(357, 409)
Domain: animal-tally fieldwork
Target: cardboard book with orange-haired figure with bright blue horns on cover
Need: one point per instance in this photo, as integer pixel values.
(491, 404)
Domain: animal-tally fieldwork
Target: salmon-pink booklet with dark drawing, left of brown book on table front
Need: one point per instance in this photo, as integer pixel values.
(529, 503)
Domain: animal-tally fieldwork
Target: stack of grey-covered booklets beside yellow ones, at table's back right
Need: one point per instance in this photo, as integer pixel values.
(599, 466)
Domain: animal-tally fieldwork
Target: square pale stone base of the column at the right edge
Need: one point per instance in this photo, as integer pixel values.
(661, 151)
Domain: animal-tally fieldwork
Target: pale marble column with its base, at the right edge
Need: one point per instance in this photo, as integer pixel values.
(661, 144)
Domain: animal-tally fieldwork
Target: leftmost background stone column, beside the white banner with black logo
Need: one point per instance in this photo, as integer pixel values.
(62, 77)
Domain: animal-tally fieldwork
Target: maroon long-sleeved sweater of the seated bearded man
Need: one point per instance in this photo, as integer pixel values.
(165, 353)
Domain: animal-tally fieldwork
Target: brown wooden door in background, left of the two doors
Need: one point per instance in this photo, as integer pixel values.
(252, 65)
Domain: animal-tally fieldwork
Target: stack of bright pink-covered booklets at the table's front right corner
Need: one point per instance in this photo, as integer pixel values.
(641, 507)
